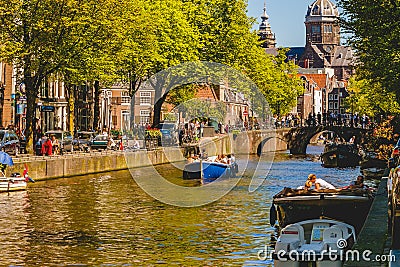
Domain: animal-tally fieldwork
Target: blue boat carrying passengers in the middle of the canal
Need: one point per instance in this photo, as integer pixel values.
(209, 171)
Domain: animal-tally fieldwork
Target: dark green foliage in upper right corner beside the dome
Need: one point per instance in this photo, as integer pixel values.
(374, 31)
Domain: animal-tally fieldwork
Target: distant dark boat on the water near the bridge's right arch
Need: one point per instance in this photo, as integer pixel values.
(340, 155)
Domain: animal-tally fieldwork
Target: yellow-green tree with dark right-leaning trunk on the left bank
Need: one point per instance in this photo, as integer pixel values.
(178, 42)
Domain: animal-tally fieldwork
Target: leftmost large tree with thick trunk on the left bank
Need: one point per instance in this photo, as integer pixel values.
(43, 37)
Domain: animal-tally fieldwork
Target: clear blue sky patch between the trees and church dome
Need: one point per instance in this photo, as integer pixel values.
(286, 18)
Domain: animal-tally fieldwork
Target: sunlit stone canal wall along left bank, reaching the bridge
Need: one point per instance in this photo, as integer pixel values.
(50, 167)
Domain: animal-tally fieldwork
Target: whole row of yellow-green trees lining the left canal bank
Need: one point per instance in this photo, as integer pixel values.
(102, 42)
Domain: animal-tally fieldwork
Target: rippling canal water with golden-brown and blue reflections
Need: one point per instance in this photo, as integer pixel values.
(108, 220)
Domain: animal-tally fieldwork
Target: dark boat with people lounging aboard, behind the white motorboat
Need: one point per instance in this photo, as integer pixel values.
(347, 205)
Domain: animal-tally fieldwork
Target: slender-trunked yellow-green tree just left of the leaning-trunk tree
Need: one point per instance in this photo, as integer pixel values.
(137, 48)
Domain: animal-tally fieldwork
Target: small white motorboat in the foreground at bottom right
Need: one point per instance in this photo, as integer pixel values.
(319, 242)
